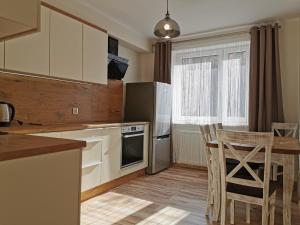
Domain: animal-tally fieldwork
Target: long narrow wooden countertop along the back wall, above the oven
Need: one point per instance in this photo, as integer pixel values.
(33, 129)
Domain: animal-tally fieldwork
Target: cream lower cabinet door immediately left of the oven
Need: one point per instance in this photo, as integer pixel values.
(111, 154)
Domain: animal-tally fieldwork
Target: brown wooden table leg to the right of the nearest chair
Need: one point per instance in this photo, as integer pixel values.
(288, 185)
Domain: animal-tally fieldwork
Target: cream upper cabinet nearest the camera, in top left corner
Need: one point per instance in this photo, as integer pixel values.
(19, 17)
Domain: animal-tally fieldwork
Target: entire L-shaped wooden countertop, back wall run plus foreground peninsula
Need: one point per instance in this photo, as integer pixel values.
(16, 144)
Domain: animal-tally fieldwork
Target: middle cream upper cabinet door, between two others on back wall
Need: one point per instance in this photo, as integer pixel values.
(65, 47)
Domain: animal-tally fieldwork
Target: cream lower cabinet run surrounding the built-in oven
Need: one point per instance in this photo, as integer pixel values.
(101, 158)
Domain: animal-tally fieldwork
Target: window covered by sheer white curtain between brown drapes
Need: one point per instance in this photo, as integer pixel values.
(210, 84)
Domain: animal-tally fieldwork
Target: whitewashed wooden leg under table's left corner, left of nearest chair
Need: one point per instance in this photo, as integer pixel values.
(216, 185)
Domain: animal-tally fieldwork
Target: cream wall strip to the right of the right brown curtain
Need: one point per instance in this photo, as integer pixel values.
(290, 60)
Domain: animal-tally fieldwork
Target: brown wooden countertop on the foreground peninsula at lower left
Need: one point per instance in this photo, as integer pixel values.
(14, 146)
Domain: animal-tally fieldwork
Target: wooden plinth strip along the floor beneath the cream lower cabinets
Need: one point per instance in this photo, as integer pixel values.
(110, 185)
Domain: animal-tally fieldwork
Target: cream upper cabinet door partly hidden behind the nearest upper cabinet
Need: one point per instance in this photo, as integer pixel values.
(30, 53)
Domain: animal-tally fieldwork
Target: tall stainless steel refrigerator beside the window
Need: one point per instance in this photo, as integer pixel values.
(151, 101)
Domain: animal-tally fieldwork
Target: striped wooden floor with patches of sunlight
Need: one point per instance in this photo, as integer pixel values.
(175, 196)
